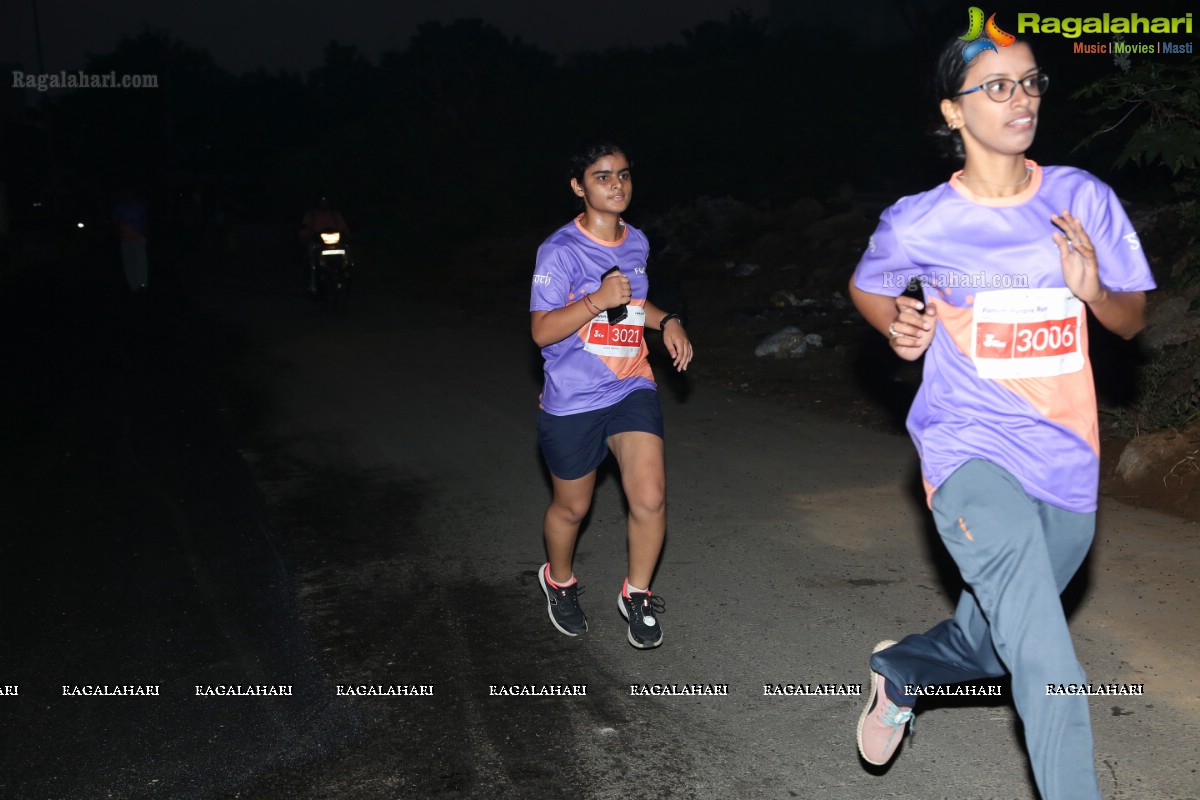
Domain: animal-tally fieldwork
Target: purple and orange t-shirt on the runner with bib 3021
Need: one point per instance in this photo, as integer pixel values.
(602, 364)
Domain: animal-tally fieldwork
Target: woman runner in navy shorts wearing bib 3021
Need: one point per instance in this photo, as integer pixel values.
(590, 315)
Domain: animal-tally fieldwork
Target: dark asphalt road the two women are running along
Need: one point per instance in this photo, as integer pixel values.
(388, 502)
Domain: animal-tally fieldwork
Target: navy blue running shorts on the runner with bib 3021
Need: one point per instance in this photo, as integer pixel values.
(575, 444)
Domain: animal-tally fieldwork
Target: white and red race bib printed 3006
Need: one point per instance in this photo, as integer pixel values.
(1027, 334)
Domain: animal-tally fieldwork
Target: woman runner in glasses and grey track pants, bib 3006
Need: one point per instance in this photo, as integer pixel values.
(1012, 257)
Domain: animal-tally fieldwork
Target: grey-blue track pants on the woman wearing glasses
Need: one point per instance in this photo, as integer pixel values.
(1017, 555)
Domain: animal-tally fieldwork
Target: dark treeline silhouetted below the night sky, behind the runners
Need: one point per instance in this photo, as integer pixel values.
(422, 134)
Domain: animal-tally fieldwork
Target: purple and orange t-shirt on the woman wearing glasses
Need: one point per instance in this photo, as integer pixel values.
(1007, 377)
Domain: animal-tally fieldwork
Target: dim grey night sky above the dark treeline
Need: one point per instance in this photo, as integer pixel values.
(292, 34)
